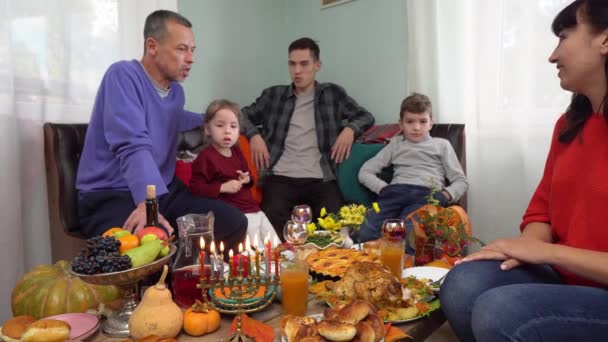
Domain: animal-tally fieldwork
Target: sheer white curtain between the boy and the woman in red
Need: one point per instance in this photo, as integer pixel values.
(484, 63)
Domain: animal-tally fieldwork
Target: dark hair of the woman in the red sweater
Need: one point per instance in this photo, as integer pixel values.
(594, 12)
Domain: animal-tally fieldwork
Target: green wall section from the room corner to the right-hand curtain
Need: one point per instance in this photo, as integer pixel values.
(363, 48)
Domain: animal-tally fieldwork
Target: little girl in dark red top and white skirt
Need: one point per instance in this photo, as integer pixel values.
(220, 170)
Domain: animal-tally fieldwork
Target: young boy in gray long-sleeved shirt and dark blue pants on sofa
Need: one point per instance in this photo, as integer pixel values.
(419, 161)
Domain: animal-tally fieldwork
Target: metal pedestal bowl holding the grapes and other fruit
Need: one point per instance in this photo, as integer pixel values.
(117, 325)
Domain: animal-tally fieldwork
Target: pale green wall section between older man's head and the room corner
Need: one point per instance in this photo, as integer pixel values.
(240, 50)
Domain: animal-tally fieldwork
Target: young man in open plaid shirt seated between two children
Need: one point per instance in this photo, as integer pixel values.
(298, 134)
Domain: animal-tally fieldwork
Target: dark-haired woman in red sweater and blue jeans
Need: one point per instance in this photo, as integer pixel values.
(551, 283)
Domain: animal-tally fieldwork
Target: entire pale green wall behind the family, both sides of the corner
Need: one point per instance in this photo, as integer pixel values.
(364, 53)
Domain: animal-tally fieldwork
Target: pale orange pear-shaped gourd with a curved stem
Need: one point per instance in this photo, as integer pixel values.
(156, 314)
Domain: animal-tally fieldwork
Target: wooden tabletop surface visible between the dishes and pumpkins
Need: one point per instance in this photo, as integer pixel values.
(419, 329)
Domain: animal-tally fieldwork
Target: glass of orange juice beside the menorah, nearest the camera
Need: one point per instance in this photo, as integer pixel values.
(294, 287)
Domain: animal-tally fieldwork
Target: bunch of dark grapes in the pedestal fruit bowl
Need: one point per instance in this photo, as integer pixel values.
(101, 256)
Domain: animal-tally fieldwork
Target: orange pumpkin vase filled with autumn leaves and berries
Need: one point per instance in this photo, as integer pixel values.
(439, 230)
